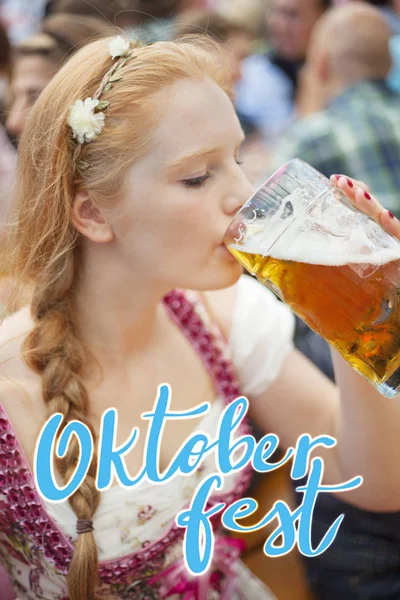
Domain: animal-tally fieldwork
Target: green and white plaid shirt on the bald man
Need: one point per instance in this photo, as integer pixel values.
(358, 134)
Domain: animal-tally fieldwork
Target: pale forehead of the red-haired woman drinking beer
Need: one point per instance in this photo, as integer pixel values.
(196, 114)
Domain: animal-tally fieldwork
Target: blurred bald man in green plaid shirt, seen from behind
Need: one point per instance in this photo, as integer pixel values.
(358, 132)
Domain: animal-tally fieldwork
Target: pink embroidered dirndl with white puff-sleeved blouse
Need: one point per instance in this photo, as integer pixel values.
(139, 545)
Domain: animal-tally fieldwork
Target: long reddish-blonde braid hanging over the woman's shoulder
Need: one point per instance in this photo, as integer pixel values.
(54, 351)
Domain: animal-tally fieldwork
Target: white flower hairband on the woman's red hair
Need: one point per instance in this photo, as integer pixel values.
(84, 118)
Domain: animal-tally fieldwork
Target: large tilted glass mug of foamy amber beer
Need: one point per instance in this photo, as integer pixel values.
(336, 268)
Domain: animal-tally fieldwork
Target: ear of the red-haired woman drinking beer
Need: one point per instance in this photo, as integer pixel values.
(88, 219)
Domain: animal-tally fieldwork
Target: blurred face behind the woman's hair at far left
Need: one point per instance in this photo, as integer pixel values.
(31, 74)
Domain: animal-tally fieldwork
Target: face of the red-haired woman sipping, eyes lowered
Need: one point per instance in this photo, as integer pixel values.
(184, 192)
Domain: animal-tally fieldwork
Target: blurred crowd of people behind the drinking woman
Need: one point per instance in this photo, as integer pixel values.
(314, 79)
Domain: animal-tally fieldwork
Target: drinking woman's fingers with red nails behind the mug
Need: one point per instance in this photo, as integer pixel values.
(358, 194)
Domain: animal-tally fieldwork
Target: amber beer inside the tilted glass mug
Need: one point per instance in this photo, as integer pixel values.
(353, 303)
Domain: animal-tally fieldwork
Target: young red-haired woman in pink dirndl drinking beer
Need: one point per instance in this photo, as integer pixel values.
(121, 211)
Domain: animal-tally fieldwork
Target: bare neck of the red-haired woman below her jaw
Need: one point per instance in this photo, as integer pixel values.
(119, 309)
